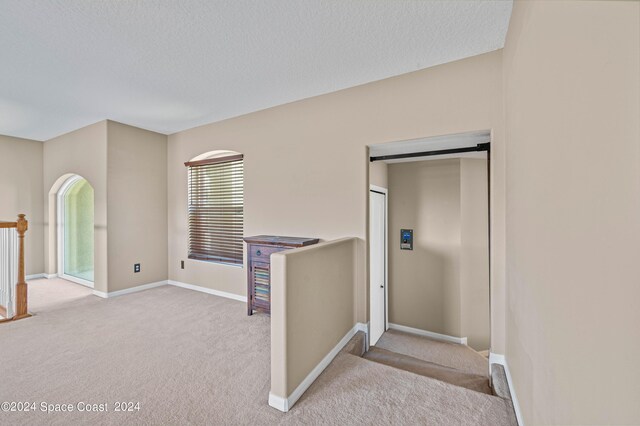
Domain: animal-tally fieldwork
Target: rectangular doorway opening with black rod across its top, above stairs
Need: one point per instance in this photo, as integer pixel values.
(429, 254)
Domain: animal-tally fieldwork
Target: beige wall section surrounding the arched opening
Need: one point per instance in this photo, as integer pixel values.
(82, 152)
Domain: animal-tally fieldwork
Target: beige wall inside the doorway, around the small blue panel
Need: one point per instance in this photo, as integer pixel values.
(442, 284)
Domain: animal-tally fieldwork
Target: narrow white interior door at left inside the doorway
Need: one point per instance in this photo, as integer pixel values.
(377, 259)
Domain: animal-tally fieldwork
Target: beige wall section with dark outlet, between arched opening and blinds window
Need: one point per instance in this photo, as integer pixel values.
(137, 205)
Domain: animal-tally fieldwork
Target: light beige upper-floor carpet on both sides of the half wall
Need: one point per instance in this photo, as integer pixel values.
(193, 358)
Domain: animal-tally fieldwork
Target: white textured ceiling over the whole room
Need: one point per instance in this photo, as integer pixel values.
(169, 65)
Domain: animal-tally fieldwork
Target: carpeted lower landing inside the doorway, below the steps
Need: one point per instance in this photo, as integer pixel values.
(452, 355)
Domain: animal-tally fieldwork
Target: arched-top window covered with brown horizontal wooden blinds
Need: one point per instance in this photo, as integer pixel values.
(216, 209)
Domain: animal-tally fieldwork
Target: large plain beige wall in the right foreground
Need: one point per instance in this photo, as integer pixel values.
(572, 79)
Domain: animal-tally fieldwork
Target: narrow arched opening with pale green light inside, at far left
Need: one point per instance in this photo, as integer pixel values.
(75, 218)
